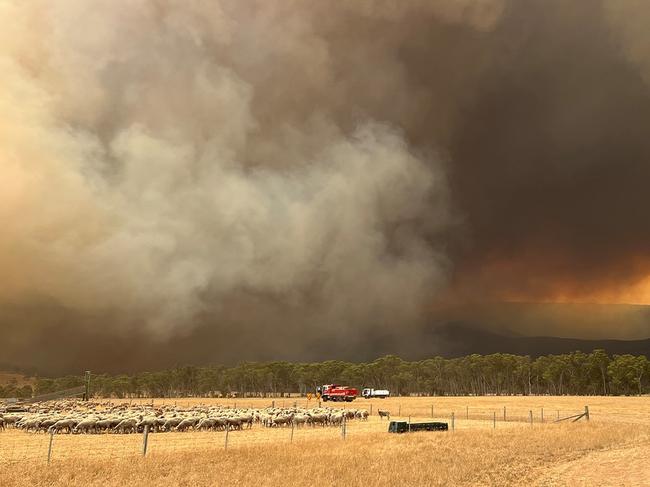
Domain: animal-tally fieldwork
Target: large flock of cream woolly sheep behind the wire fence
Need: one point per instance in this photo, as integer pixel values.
(76, 417)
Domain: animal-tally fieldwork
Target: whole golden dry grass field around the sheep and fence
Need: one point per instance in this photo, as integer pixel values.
(613, 448)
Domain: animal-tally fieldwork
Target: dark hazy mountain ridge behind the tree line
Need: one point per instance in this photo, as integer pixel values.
(448, 340)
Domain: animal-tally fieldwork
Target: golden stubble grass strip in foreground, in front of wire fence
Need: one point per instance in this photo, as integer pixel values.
(510, 456)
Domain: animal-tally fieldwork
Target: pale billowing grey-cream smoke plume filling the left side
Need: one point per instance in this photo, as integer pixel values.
(165, 159)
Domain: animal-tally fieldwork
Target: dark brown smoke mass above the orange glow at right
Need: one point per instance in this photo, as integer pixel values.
(551, 163)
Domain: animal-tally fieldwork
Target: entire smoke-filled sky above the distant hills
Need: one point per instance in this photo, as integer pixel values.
(214, 181)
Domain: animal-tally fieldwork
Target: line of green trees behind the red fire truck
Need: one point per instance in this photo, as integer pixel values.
(576, 373)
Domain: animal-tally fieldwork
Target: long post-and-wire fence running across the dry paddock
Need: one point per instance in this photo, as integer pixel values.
(17, 446)
